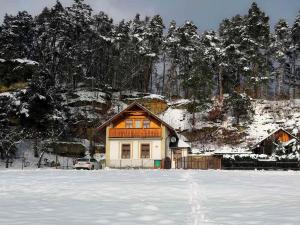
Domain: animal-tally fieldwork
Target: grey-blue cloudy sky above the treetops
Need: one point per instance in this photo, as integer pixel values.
(206, 14)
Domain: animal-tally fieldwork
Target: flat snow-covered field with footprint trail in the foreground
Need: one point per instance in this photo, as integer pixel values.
(34, 197)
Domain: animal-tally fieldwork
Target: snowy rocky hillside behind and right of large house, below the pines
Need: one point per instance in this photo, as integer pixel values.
(224, 135)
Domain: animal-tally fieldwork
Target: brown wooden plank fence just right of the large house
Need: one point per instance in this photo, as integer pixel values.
(198, 162)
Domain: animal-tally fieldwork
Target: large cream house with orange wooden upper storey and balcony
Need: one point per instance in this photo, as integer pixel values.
(137, 138)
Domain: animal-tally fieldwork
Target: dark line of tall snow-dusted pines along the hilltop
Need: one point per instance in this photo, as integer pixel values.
(73, 46)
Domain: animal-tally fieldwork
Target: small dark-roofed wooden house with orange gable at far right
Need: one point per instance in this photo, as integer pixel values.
(278, 137)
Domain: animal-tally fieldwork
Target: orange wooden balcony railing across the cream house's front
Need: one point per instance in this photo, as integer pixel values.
(134, 132)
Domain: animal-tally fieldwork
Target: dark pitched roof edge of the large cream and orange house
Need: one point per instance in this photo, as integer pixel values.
(142, 108)
